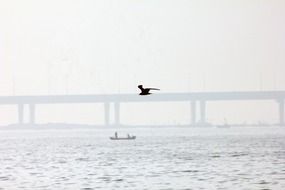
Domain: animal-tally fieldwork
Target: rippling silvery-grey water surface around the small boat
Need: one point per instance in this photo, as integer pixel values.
(160, 158)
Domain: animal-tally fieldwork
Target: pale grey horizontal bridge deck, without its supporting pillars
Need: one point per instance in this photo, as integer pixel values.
(207, 96)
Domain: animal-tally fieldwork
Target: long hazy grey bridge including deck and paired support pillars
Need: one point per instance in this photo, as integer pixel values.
(196, 99)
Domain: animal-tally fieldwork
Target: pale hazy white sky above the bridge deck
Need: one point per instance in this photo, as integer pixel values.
(89, 46)
